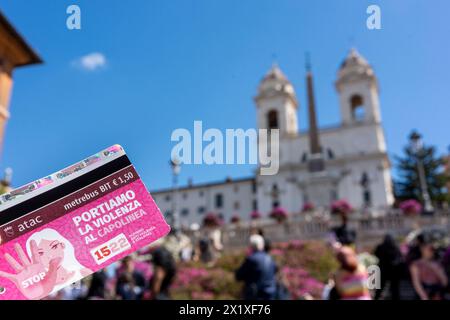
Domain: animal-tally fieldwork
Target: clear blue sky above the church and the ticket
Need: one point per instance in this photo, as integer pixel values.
(169, 63)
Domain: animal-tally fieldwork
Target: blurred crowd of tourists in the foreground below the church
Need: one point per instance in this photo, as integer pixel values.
(149, 273)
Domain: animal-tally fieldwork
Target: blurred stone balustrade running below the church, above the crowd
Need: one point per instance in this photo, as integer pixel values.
(370, 230)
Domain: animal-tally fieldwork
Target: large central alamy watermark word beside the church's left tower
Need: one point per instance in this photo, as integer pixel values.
(234, 146)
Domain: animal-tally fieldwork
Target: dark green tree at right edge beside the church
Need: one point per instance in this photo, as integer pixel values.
(407, 186)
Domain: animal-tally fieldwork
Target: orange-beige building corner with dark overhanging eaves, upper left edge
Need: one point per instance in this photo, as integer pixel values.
(14, 53)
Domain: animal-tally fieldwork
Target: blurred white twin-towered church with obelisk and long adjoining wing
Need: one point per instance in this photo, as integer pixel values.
(348, 161)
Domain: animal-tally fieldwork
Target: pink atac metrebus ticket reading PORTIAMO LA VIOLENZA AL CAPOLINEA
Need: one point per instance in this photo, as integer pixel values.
(59, 229)
